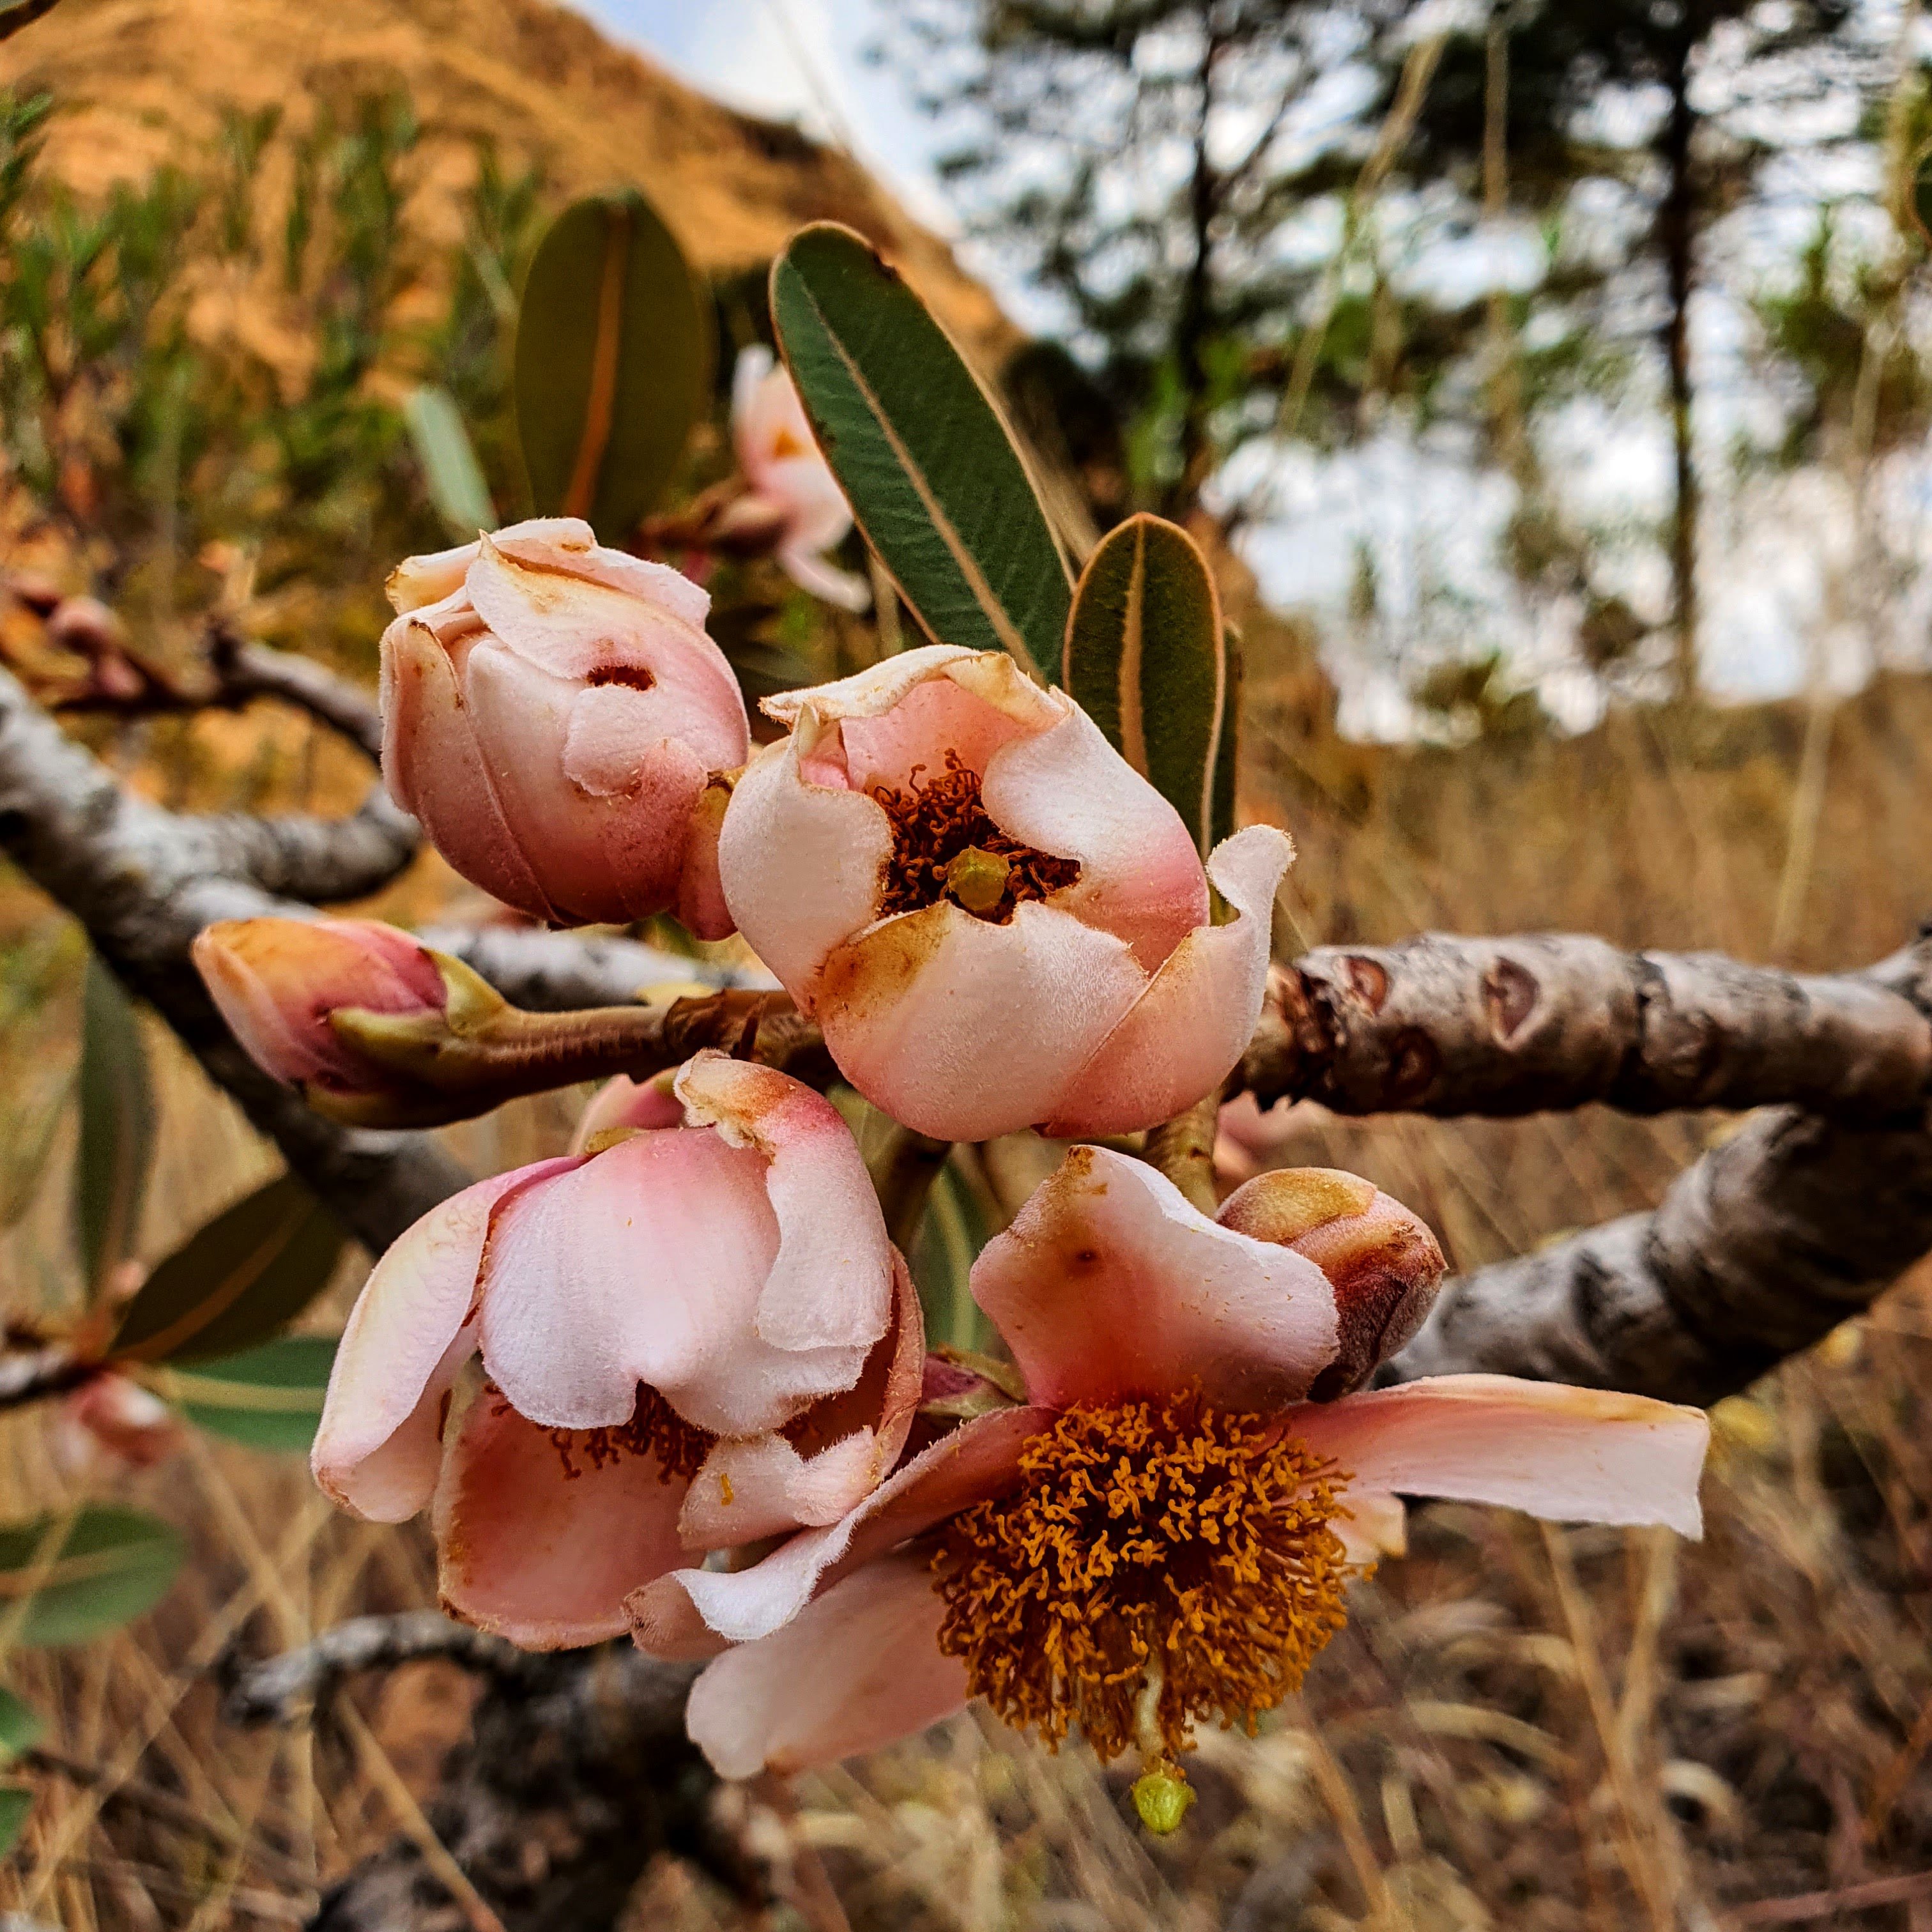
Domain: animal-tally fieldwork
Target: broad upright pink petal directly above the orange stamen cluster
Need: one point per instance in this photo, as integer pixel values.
(1110, 1286)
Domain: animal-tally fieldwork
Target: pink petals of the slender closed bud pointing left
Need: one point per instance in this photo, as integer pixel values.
(279, 980)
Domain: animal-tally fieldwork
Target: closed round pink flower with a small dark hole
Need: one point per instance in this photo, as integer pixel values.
(555, 716)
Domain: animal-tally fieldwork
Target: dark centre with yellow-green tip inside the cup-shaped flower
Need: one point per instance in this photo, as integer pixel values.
(944, 841)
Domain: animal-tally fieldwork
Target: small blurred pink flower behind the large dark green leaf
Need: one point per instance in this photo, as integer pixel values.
(789, 480)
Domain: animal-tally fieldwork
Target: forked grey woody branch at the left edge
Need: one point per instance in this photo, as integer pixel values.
(144, 882)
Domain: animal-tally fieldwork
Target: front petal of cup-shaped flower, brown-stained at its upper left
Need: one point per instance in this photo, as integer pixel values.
(967, 1031)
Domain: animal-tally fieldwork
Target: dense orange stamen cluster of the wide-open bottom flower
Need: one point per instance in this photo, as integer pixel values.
(1158, 1541)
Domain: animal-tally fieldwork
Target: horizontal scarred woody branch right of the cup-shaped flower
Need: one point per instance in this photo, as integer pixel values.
(1543, 1023)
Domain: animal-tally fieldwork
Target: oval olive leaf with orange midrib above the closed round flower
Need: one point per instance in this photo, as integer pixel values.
(613, 362)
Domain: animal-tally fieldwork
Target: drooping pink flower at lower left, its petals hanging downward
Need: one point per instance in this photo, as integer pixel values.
(594, 1367)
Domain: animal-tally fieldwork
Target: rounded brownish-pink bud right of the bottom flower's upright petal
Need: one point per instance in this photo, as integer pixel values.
(1380, 1259)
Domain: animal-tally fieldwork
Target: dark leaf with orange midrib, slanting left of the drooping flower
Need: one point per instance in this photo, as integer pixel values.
(235, 1282)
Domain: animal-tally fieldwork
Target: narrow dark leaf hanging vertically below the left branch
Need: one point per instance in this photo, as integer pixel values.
(117, 1147)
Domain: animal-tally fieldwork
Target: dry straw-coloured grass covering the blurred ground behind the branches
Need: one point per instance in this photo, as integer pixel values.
(1520, 1730)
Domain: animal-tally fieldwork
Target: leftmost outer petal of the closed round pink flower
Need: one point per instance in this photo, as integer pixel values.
(438, 774)
